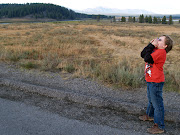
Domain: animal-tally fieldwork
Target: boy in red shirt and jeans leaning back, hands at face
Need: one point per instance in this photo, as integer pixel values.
(155, 56)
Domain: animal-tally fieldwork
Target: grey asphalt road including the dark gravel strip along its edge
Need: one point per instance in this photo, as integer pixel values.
(31, 114)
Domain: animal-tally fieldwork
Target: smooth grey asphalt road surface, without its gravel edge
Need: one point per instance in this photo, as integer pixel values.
(17, 118)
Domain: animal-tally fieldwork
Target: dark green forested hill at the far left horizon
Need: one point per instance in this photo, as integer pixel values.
(41, 10)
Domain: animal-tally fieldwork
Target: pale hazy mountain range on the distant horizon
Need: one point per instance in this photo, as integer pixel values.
(113, 11)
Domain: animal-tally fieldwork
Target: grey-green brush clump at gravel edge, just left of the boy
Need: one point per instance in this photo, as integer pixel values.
(121, 75)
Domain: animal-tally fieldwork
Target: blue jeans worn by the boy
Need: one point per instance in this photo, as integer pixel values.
(155, 103)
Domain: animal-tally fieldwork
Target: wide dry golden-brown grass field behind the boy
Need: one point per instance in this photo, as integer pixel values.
(104, 51)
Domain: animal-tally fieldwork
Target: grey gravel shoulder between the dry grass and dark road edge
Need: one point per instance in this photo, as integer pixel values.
(64, 86)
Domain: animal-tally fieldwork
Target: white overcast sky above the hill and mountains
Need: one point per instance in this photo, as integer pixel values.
(156, 6)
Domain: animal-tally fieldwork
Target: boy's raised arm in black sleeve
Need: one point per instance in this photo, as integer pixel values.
(146, 53)
